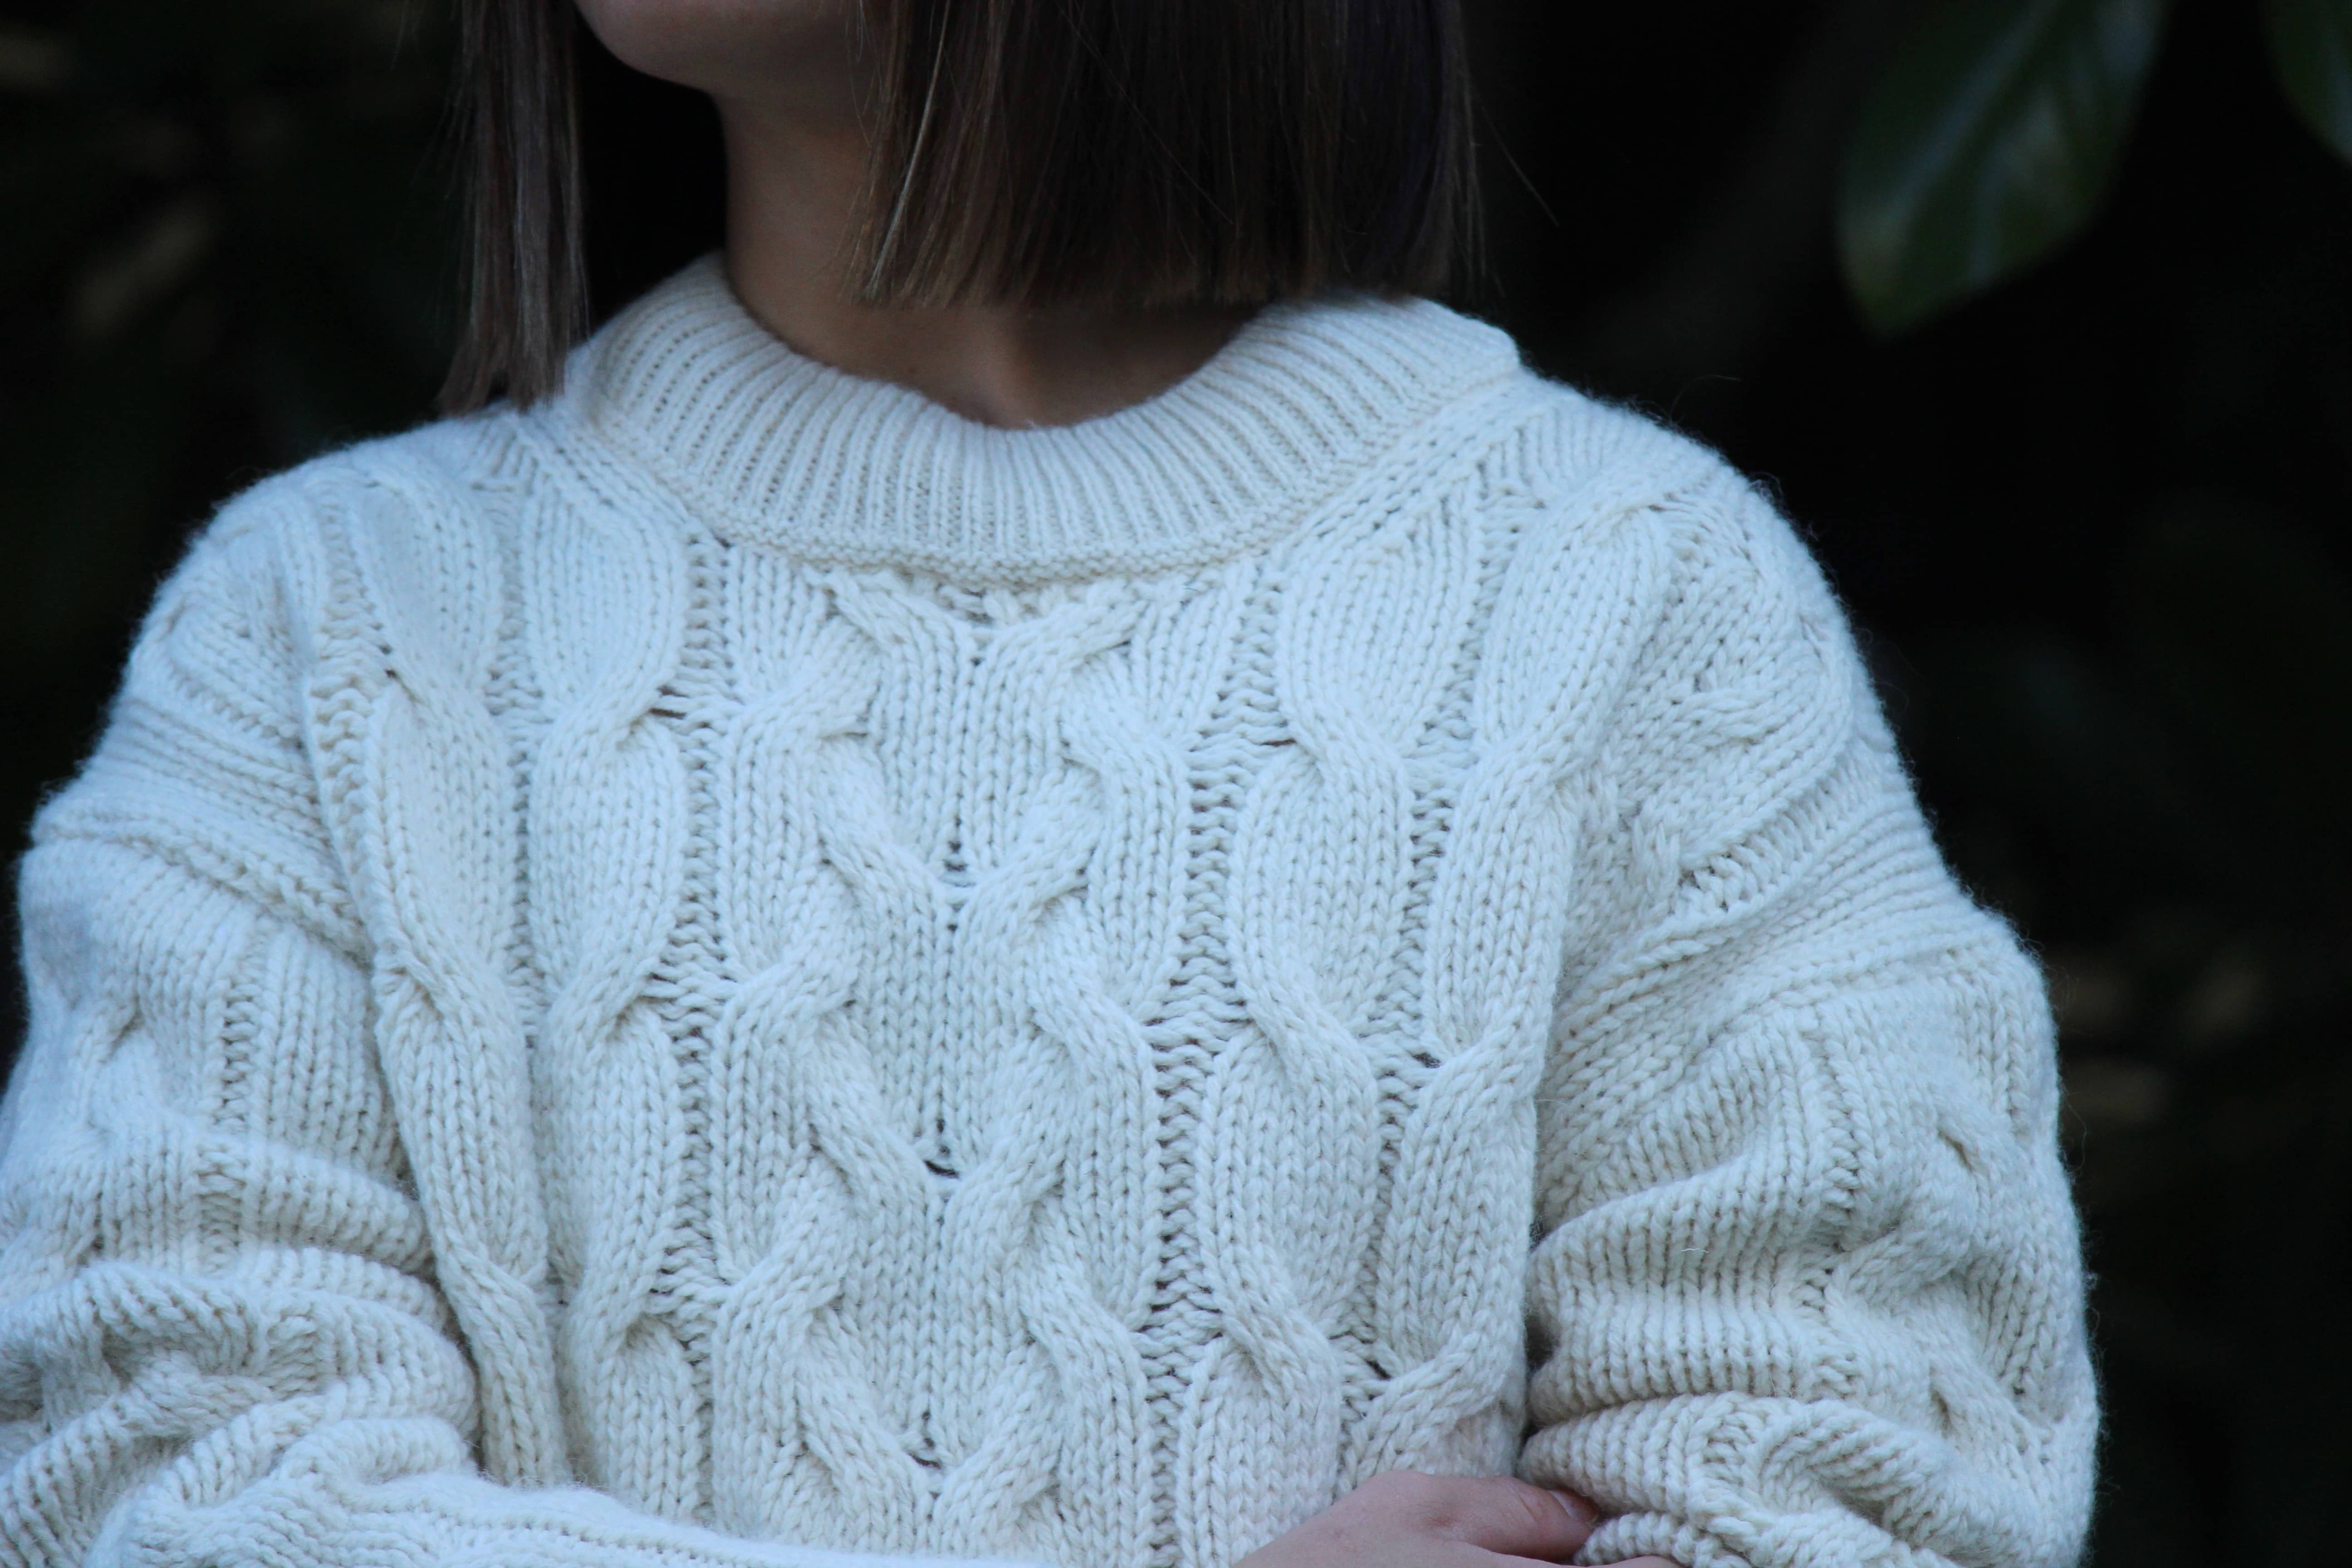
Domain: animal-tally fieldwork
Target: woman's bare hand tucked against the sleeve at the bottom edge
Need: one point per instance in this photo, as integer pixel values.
(1408, 1520)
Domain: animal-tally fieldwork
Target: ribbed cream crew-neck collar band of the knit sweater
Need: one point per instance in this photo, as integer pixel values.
(780, 450)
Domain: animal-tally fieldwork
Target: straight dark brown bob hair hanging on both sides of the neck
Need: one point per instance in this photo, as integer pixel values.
(1031, 152)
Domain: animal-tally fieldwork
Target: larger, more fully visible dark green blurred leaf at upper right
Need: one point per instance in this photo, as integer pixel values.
(1986, 145)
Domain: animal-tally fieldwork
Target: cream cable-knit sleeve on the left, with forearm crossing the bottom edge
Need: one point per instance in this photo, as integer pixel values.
(220, 1327)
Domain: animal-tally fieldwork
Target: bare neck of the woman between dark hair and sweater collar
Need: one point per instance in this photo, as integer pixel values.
(791, 208)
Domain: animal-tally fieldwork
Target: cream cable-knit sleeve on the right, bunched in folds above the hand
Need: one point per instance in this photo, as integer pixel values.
(1808, 1282)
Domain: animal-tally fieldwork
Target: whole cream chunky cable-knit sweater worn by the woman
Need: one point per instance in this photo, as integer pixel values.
(735, 970)
